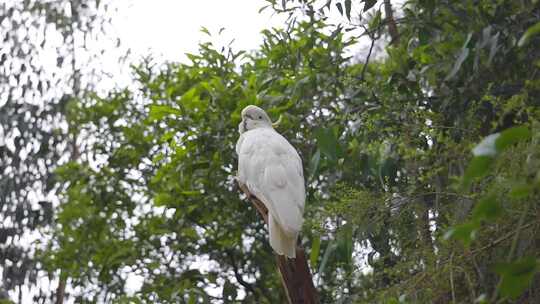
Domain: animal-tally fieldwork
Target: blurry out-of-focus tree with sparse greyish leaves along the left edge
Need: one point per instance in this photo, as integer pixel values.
(47, 60)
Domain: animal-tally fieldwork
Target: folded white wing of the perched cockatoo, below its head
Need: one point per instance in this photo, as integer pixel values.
(272, 170)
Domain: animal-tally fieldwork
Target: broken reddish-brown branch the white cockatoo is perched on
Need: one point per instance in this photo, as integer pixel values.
(295, 274)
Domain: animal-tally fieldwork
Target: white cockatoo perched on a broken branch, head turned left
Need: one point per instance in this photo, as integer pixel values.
(271, 169)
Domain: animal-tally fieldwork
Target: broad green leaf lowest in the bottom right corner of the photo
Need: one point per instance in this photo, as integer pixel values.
(516, 276)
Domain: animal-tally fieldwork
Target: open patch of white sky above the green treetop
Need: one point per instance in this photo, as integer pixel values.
(171, 28)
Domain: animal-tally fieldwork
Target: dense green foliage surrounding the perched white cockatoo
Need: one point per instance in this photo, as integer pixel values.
(422, 164)
